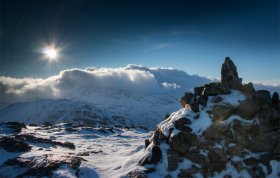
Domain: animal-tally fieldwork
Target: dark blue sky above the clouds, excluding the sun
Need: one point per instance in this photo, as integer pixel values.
(194, 36)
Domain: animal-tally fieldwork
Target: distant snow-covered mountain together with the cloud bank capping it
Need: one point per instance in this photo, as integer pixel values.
(131, 95)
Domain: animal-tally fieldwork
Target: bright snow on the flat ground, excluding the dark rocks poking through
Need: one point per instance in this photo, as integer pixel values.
(106, 152)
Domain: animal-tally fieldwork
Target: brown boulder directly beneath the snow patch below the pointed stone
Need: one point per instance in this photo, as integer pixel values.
(222, 112)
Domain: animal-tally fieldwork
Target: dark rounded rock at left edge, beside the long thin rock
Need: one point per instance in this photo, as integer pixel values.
(12, 144)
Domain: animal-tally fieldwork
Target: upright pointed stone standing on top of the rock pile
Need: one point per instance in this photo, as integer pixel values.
(229, 75)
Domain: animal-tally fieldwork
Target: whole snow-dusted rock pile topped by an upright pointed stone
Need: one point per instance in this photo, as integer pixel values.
(224, 128)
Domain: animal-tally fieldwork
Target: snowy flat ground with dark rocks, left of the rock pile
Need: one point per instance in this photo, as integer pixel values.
(68, 150)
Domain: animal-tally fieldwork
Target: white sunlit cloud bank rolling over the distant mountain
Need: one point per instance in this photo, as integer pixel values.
(86, 84)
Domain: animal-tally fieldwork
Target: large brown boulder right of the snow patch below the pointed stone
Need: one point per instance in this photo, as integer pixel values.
(248, 109)
